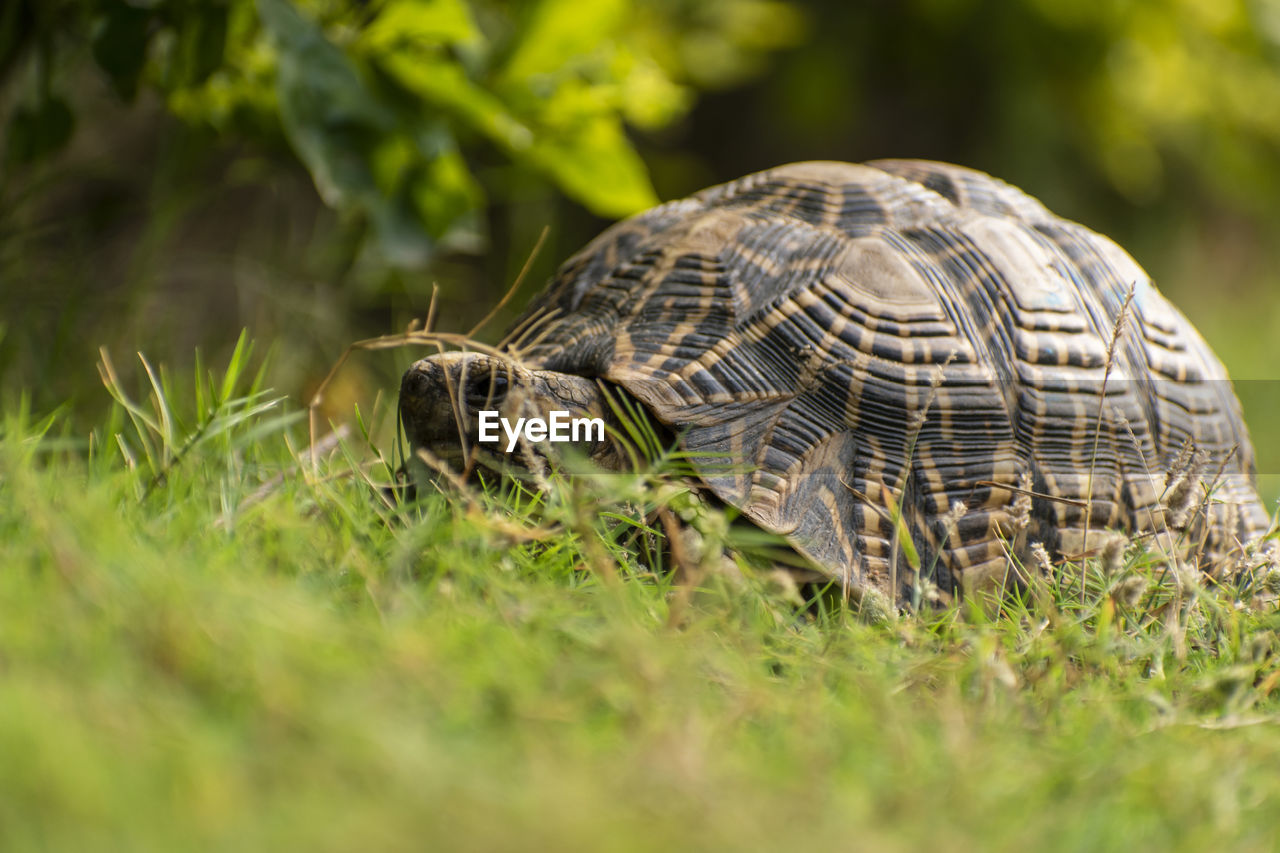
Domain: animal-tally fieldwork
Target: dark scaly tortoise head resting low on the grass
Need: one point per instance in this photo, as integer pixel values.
(472, 408)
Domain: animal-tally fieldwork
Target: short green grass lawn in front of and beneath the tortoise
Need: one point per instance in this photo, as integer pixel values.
(209, 641)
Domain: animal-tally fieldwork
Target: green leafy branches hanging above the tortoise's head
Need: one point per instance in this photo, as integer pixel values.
(382, 101)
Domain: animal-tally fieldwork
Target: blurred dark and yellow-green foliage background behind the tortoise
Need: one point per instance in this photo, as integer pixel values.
(175, 171)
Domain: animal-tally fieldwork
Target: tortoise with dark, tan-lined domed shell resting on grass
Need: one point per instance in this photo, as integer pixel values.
(892, 349)
